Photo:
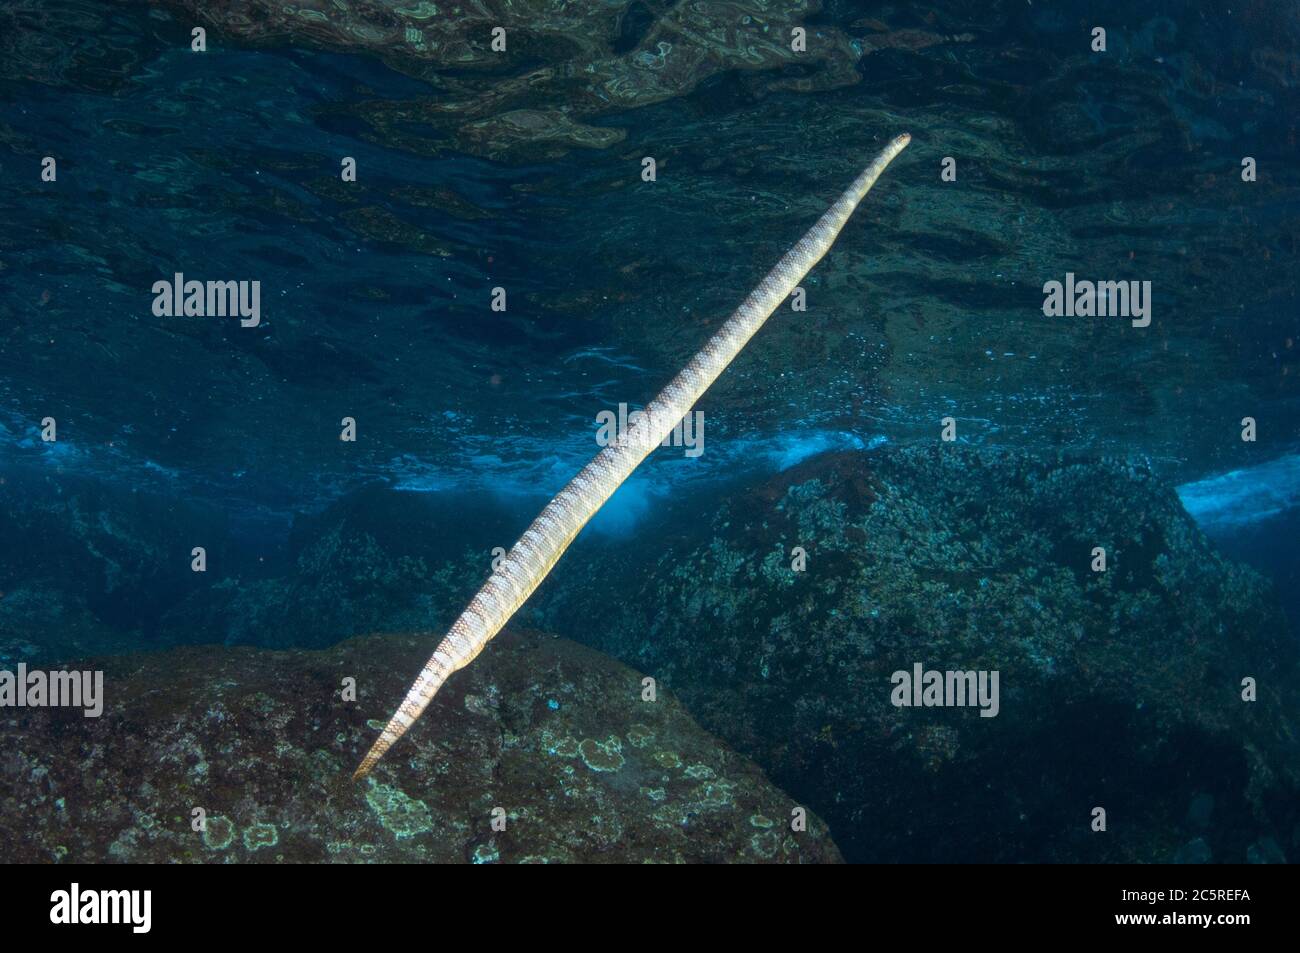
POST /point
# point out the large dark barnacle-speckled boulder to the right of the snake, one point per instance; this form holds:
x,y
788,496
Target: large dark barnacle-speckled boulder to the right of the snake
x,y
1120,690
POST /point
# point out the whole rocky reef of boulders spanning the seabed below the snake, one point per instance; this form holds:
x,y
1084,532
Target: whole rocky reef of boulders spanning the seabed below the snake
x,y
1119,690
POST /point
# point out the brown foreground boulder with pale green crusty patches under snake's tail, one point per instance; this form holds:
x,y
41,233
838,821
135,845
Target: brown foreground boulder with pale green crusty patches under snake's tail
x,y
553,735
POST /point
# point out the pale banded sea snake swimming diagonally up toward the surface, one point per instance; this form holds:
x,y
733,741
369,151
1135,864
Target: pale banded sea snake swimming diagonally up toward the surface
x,y
545,542
